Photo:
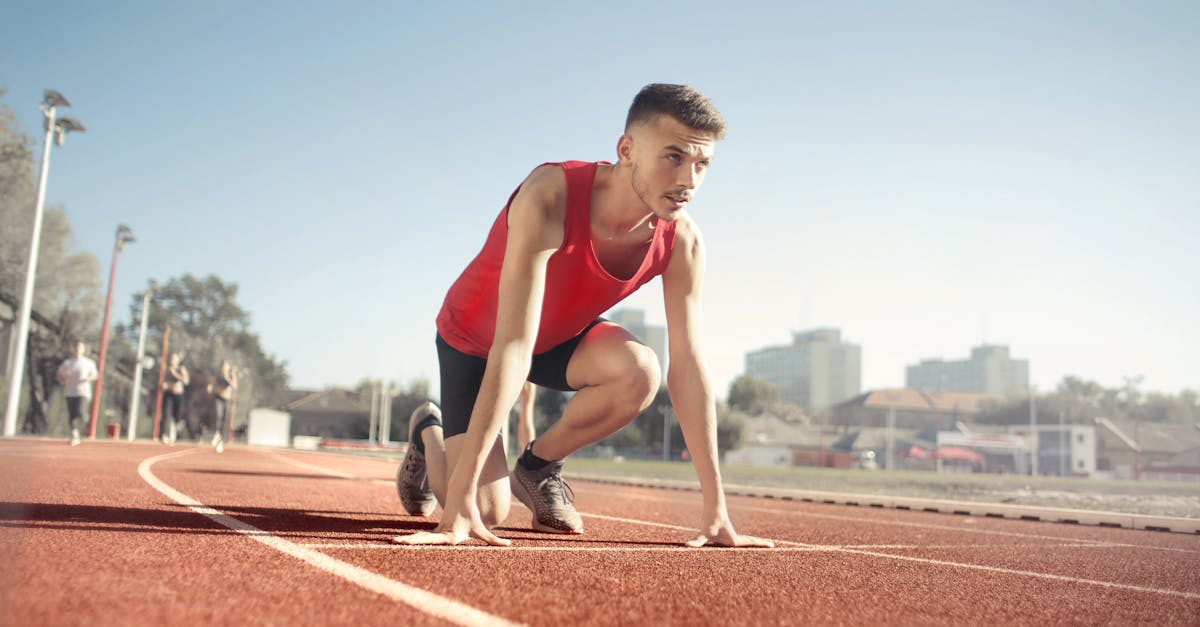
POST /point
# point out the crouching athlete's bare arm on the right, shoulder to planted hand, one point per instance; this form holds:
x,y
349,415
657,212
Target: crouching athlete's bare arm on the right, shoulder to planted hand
x,y
688,384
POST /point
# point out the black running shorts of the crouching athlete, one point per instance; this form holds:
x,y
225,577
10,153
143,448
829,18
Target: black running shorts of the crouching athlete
x,y
464,374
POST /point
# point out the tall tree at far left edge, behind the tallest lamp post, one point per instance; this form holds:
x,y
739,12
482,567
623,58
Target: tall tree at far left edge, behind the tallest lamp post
x,y
67,288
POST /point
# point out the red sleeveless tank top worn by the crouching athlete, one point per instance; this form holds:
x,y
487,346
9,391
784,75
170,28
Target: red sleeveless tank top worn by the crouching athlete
x,y
578,288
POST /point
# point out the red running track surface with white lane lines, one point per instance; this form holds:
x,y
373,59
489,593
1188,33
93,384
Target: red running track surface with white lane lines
x,y
119,534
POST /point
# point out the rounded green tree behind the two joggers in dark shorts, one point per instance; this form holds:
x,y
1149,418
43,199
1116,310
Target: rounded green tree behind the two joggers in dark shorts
x,y
208,326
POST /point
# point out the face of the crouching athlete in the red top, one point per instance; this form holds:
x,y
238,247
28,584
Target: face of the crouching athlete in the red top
x,y
669,163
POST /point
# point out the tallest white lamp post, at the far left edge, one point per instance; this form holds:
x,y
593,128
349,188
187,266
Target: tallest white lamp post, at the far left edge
x,y
56,130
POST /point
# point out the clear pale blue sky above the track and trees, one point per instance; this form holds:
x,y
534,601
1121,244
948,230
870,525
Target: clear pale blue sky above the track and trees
x,y
923,176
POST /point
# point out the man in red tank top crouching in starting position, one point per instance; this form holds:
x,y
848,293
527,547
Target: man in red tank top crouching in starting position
x,y
573,241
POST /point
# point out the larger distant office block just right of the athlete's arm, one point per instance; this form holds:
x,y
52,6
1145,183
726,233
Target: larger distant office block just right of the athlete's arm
x,y
818,371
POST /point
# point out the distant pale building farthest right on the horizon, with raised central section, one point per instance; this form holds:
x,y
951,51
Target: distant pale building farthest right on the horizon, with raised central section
x,y
991,371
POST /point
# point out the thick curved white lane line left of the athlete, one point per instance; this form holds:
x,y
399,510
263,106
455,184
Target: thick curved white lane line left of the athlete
x,y
424,601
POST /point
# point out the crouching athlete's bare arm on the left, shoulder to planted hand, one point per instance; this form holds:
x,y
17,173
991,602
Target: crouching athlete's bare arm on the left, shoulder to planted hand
x,y
536,222
